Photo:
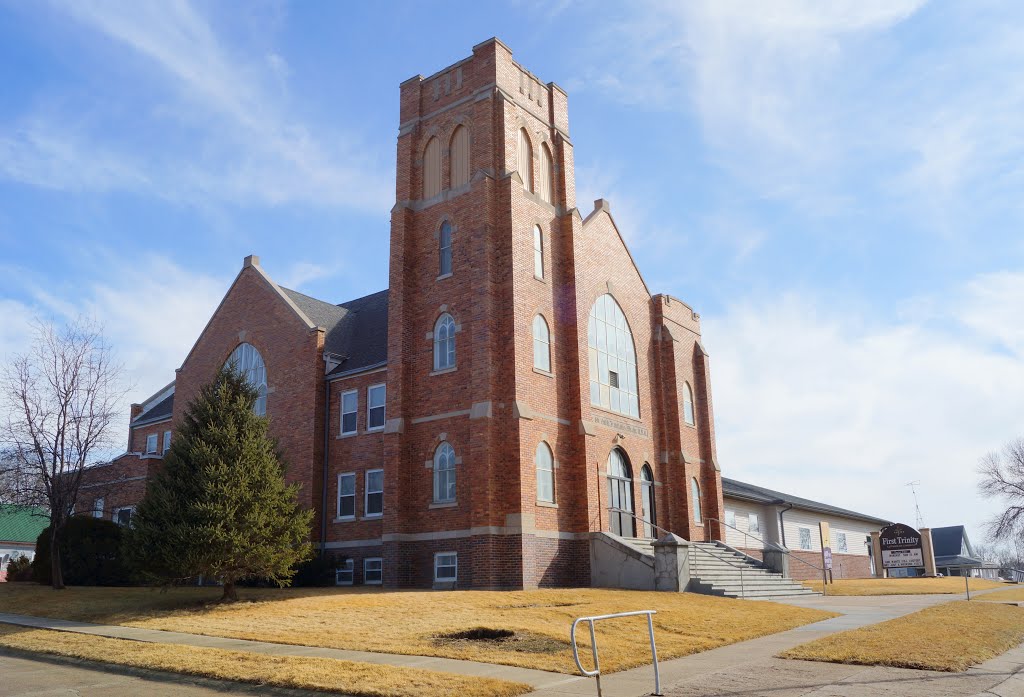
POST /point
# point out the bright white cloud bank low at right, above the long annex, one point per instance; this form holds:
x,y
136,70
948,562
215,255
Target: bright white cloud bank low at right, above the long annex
x,y
834,405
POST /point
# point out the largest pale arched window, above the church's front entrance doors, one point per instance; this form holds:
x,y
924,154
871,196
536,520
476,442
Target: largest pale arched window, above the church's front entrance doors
x,y
613,360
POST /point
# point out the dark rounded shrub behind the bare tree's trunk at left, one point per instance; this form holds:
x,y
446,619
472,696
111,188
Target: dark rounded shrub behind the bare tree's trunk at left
x,y
91,554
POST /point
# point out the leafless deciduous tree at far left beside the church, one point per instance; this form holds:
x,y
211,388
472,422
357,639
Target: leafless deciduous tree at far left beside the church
x,y
63,398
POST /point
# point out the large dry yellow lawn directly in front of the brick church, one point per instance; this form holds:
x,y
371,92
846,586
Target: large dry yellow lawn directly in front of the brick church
x,y
413,623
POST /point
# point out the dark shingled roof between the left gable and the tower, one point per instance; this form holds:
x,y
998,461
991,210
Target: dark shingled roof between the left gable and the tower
x,y
356,331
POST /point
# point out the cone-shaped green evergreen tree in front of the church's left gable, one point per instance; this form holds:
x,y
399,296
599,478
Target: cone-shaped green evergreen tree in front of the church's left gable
x,y
220,507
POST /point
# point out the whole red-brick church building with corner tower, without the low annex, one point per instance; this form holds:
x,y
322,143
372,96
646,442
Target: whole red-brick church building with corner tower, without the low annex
x,y
516,390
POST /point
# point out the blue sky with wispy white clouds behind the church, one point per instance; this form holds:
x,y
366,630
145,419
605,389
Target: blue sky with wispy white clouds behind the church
x,y
836,189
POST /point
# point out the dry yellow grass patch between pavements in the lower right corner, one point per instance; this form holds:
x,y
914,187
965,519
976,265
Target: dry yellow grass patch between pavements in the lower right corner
x,y
952,637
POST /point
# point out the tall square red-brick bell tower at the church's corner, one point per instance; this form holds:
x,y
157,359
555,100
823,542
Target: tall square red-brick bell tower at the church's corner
x,y
484,159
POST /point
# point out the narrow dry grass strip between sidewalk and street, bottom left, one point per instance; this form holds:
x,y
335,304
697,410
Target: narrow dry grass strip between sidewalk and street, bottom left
x,y
325,675
